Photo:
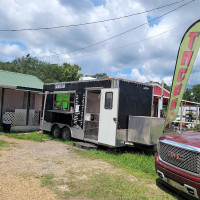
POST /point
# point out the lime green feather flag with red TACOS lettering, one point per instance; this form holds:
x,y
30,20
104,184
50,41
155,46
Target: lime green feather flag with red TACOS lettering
x,y
187,54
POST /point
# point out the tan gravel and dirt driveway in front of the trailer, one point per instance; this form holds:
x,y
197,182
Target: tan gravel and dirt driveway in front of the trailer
x,y
24,163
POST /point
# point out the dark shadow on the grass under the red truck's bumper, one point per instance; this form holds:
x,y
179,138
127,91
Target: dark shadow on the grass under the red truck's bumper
x,y
173,191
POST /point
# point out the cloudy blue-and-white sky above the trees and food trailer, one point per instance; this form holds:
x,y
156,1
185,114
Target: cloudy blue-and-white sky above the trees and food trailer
x,y
155,57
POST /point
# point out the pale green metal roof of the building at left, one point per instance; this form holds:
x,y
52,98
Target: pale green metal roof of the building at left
x,y
13,79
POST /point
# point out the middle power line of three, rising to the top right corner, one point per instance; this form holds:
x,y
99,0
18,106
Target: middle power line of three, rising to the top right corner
x,y
127,31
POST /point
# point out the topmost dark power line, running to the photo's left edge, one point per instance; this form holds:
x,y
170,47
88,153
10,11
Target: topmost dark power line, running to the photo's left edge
x,y
87,23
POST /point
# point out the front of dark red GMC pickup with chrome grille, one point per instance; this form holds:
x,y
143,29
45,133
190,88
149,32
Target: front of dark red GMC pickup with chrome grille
x,y
178,161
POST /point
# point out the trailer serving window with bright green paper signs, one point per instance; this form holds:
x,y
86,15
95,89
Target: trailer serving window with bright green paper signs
x,y
64,101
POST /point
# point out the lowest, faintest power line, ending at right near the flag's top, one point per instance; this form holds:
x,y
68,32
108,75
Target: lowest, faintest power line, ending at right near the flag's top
x,y
123,46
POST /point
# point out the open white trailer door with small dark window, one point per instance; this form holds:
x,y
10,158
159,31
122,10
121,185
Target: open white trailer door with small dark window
x,y
108,116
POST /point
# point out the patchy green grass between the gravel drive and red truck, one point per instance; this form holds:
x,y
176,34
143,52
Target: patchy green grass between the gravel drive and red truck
x,y
138,164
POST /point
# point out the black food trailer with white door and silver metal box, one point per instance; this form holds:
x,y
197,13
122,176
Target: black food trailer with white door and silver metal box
x,y
111,112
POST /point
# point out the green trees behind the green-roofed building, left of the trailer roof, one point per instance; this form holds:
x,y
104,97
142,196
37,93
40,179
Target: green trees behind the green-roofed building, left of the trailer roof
x,y
48,73
